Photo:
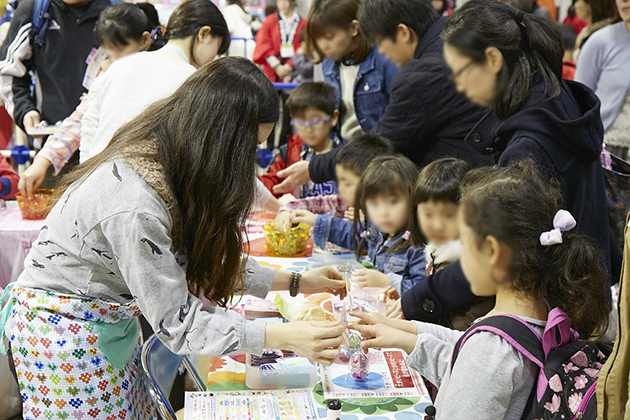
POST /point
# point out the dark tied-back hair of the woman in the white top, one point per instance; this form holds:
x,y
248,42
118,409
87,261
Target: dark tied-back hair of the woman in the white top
x,y
192,15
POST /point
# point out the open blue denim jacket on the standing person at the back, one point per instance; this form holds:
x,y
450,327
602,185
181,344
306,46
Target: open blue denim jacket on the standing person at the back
x,y
371,88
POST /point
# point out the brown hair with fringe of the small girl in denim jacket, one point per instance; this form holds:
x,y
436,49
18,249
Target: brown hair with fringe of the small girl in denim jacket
x,y
385,175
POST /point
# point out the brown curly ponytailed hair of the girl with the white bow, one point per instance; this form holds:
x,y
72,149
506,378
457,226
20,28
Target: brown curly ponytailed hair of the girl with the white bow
x,y
515,205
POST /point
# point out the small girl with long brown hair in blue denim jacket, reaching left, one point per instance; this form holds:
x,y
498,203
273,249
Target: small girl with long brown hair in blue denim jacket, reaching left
x,y
384,197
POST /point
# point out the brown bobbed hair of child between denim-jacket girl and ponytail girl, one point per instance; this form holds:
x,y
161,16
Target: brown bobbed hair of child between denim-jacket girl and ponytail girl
x,y
438,181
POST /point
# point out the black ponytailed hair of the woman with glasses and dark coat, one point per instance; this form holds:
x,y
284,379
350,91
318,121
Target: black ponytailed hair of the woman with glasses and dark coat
x,y
528,44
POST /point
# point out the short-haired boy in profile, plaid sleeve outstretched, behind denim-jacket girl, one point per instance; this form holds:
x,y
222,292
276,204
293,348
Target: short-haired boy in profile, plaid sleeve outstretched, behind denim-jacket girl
x,y
351,162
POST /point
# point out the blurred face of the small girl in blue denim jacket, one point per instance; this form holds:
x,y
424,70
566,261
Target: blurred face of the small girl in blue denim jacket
x,y
388,212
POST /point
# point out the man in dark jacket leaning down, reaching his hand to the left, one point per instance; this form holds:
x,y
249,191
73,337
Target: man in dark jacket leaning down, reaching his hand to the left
x,y
426,118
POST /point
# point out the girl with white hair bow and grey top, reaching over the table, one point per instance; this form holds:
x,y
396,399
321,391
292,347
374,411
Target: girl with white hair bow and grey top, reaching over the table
x,y
520,246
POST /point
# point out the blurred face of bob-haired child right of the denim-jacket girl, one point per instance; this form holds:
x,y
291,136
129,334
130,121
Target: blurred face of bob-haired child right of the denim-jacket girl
x,y
438,221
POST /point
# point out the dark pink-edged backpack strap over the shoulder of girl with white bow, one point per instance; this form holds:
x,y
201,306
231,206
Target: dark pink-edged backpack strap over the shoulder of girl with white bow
x,y
512,329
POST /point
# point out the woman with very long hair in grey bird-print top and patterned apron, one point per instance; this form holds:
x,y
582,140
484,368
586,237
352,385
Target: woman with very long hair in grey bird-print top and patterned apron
x,y
179,178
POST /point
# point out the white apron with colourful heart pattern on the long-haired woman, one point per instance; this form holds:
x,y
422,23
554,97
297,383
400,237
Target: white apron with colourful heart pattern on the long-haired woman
x,y
61,370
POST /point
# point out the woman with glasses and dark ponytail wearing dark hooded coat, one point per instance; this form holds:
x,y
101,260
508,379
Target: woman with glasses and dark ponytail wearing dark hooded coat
x,y
511,62
